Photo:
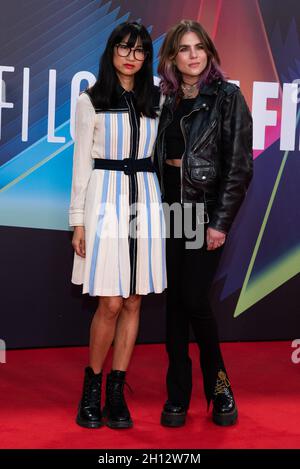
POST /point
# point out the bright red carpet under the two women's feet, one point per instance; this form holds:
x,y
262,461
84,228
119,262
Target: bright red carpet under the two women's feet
x,y
39,392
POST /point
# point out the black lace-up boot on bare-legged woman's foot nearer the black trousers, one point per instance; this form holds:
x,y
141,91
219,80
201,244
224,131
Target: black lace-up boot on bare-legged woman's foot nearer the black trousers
x,y
116,412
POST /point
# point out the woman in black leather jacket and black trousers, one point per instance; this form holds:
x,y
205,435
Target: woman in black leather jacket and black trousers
x,y
203,157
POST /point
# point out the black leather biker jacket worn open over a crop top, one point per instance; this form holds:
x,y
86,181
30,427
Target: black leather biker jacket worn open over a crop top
x,y
217,162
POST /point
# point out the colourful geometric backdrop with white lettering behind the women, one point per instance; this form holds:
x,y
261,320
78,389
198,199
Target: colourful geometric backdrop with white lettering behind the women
x,y
48,50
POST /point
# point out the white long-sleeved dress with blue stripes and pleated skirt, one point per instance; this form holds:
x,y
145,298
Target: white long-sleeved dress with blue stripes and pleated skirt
x,y
125,252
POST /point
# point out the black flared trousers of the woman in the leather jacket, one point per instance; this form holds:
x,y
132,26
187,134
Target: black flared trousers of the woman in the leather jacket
x,y
190,273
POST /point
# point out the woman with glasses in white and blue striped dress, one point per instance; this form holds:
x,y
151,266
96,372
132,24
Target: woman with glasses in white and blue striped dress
x,y
116,213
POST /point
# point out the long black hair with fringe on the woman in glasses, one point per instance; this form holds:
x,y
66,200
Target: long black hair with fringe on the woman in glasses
x,y
103,93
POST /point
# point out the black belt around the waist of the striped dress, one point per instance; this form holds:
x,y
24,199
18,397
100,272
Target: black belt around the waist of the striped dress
x,y
128,165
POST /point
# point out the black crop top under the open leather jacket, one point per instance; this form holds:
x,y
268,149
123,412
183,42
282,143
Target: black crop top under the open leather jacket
x,y
174,139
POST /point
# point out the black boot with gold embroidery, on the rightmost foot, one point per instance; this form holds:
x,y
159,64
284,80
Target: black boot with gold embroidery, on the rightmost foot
x,y
224,407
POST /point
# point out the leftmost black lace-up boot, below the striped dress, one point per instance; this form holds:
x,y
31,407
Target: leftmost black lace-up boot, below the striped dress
x,y
89,411
